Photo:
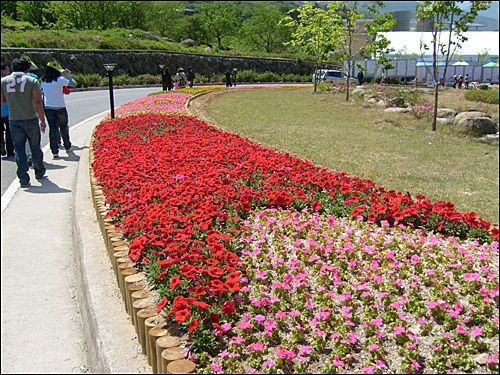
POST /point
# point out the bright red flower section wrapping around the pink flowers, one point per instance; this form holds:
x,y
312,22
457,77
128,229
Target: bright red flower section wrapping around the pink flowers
x,y
180,189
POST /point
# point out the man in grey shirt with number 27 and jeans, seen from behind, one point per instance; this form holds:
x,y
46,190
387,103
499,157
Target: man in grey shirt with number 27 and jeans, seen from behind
x,y
22,94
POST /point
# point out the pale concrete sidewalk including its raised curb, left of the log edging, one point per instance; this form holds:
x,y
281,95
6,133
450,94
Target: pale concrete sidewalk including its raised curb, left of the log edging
x,y
61,307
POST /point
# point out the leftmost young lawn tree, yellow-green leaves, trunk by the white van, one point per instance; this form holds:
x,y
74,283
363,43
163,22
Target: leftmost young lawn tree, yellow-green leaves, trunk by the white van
x,y
315,32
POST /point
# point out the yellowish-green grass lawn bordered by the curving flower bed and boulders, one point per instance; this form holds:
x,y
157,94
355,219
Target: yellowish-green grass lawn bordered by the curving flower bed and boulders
x,y
396,151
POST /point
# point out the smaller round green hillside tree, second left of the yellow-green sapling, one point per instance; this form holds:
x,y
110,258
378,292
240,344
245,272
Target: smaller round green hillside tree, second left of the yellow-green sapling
x,y
220,20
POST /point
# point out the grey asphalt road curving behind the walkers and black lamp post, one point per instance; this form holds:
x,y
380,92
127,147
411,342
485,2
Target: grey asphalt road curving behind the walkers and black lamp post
x,y
80,105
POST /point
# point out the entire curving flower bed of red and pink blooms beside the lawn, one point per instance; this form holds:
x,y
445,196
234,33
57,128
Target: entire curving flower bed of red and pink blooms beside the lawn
x,y
270,264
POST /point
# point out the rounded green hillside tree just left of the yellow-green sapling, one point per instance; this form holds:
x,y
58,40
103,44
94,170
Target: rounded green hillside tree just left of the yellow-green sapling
x,y
263,30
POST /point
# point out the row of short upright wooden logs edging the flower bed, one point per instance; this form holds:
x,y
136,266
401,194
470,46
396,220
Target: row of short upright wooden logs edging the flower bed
x,y
139,301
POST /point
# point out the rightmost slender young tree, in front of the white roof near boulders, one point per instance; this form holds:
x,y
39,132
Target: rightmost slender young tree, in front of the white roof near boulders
x,y
449,16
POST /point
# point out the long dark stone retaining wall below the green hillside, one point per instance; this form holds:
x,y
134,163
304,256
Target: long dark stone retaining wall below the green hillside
x,y
136,62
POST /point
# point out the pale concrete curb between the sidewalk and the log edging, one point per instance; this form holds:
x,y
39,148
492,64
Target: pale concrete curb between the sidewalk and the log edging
x,y
110,339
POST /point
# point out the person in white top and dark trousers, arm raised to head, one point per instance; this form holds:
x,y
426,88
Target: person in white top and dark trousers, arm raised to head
x,y
53,81
